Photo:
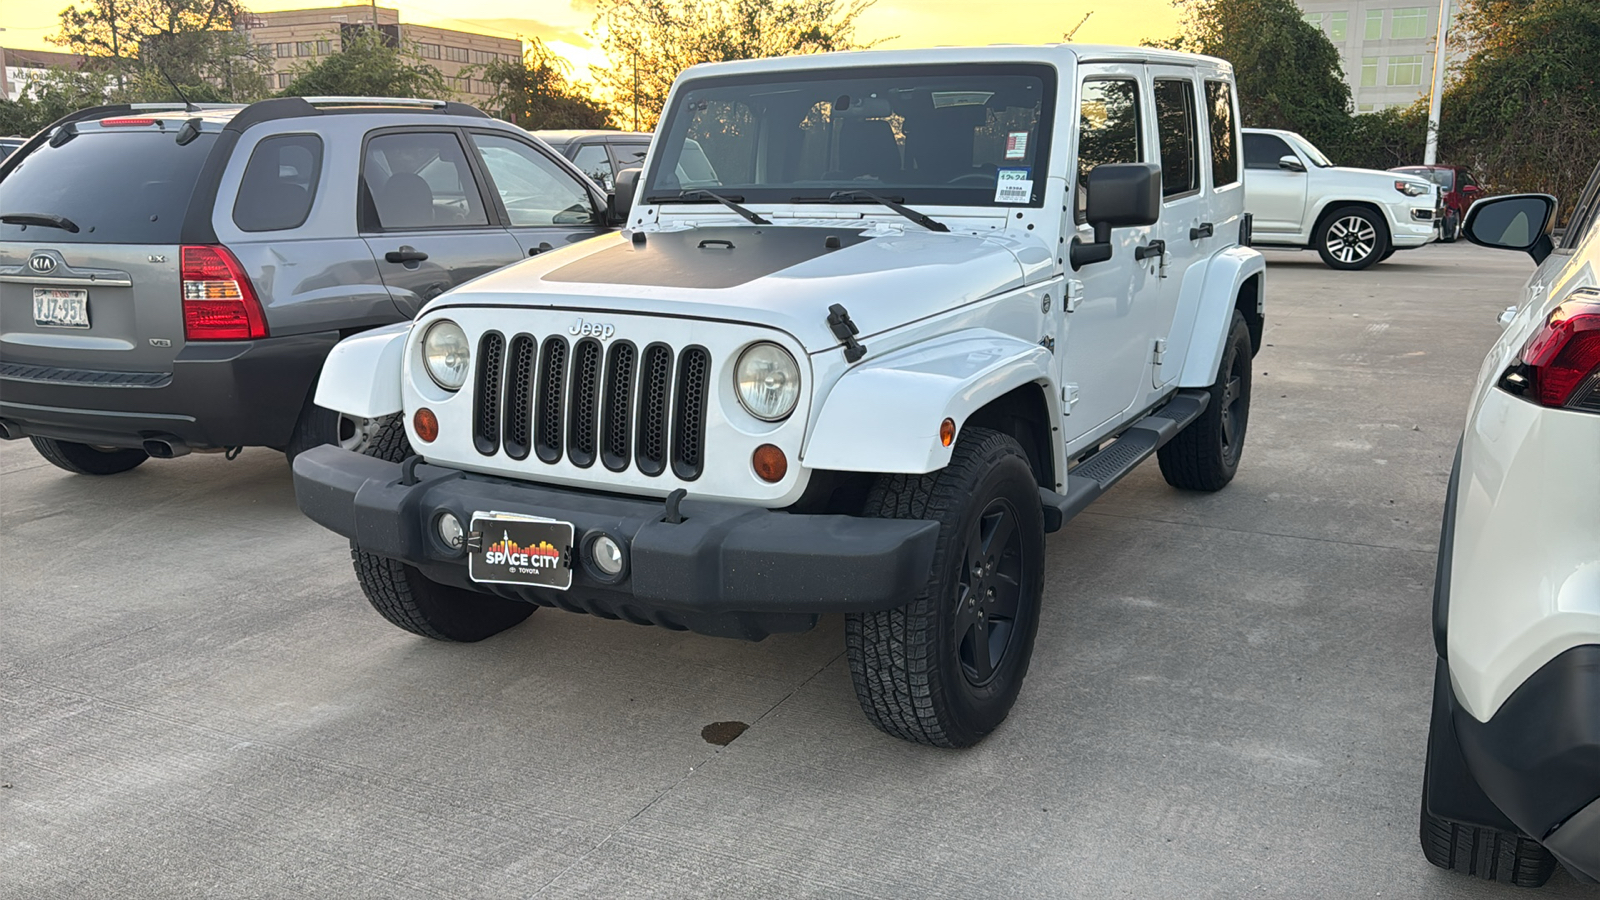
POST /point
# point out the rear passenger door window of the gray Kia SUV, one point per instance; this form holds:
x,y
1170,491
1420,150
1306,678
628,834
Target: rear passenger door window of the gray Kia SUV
x,y
422,180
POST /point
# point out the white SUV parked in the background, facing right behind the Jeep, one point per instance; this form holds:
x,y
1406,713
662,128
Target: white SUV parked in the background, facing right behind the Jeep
x,y
1353,217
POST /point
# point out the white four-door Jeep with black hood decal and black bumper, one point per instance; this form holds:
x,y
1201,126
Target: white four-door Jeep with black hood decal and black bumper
x,y
876,326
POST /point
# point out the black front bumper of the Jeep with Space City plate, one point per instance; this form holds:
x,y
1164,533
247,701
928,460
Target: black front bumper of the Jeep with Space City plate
x,y
726,569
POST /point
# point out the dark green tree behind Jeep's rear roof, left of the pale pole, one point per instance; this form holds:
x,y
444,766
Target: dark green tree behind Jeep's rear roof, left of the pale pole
x,y
1289,73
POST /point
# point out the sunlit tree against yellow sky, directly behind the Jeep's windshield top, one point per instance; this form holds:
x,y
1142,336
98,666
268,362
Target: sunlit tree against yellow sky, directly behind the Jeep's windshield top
x,y
649,42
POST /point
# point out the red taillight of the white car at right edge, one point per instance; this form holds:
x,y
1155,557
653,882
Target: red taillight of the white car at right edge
x,y
1561,364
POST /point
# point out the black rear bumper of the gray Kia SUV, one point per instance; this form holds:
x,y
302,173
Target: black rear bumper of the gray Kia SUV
x,y
218,395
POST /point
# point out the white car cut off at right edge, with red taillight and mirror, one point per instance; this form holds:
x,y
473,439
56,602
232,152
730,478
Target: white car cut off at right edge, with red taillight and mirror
x,y
1513,779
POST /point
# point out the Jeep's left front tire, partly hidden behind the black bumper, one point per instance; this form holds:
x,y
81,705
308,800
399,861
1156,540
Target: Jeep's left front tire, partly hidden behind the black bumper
x,y
409,600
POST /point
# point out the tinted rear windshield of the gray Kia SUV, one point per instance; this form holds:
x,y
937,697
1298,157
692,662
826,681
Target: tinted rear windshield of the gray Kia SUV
x,y
119,187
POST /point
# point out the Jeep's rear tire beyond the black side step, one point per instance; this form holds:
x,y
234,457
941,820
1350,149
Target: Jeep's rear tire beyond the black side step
x,y
1206,454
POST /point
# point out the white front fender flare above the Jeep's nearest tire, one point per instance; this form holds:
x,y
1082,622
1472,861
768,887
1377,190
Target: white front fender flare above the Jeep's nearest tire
x,y
884,416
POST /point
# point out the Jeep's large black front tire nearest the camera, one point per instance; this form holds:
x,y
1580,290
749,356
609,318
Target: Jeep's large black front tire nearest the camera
x,y
910,665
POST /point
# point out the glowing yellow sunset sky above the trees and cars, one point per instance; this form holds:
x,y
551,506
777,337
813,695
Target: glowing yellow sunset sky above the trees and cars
x,y
564,25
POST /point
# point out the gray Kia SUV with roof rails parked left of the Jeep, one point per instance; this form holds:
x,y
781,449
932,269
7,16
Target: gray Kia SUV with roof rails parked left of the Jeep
x,y
172,279
